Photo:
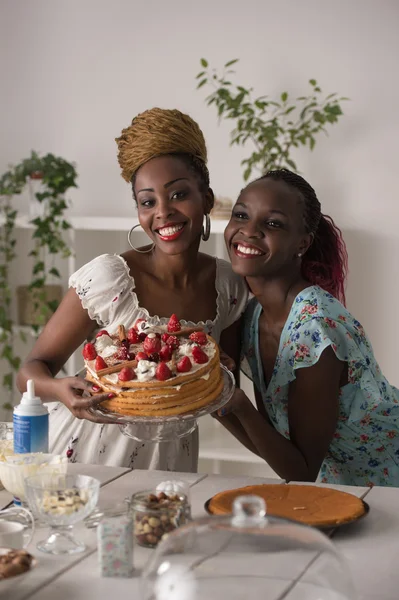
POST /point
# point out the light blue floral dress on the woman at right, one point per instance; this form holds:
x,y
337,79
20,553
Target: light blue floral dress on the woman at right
x,y
365,446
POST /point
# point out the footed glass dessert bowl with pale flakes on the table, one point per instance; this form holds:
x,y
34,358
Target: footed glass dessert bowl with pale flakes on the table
x,y
61,501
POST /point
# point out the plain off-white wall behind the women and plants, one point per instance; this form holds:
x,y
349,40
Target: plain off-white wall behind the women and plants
x,y
73,73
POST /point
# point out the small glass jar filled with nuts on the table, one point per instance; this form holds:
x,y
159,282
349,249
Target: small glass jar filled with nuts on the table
x,y
158,513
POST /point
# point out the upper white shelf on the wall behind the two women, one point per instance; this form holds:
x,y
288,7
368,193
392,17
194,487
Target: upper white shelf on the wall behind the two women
x,y
107,223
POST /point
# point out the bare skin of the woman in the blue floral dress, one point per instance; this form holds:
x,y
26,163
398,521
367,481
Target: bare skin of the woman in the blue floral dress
x,y
268,219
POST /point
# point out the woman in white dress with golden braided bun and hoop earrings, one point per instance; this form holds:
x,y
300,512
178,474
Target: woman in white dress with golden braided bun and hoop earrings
x,y
162,154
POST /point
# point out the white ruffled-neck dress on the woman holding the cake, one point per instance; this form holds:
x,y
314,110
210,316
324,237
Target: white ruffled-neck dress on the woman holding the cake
x,y
107,291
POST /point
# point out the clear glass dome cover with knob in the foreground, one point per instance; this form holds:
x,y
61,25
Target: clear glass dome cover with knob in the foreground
x,y
248,555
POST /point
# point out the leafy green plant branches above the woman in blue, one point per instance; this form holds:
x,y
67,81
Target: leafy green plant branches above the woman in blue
x,y
272,127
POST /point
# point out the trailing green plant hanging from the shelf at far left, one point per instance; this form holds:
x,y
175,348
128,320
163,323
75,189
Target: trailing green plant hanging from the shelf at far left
x,y
37,300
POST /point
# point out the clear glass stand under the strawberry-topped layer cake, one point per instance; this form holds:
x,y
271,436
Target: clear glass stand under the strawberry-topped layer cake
x,y
165,429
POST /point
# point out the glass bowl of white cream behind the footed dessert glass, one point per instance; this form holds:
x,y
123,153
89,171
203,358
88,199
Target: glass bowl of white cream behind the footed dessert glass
x,y
15,468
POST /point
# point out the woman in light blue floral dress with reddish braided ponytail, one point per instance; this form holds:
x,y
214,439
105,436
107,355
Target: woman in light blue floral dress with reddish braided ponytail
x,y
323,406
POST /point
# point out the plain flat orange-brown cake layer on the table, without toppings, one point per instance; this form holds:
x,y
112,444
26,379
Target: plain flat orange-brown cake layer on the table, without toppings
x,y
308,504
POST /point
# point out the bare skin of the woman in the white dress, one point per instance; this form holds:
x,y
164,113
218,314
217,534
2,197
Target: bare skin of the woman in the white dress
x,y
173,278
